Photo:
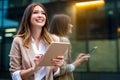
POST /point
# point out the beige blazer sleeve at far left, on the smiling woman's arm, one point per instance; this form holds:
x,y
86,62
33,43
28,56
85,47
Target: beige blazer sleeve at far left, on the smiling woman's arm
x,y
15,56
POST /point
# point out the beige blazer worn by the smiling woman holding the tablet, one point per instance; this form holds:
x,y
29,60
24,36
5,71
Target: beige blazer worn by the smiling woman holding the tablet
x,y
22,58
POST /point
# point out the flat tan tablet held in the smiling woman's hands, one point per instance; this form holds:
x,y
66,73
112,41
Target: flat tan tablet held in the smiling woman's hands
x,y
54,50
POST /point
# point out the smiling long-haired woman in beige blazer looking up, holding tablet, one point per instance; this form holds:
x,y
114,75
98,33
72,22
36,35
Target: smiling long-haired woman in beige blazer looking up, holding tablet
x,y
30,44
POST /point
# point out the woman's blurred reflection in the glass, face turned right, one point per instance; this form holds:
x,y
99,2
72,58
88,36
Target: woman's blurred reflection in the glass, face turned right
x,y
61,26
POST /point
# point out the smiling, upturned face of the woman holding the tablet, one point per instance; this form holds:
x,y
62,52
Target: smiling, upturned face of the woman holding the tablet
x,y
38,17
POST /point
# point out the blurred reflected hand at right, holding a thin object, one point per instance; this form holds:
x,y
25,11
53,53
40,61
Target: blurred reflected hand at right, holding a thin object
x,y
81,58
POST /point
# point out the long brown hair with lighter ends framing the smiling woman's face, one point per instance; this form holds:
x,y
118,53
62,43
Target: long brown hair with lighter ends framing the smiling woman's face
x,y
24,30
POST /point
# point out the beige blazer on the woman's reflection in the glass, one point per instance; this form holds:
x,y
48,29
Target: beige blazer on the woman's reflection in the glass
x,y
65,74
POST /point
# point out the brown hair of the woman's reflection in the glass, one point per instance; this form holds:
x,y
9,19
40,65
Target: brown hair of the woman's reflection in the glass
x,y
59,24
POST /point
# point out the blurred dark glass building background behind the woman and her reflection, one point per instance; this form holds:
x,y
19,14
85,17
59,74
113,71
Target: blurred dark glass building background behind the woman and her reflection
x,y
96,23
